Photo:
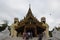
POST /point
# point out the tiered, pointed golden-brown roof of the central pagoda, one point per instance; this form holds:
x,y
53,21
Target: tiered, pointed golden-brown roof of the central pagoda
x,y
29,19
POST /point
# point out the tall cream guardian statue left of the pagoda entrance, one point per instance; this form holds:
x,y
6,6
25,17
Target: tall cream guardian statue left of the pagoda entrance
x,y
13,27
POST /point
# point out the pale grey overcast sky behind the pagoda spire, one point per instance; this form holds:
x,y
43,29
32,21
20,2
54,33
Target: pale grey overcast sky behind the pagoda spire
x,y
19,8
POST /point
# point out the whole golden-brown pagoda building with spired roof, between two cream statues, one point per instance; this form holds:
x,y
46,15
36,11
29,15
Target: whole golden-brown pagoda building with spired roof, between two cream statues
x,y
30,24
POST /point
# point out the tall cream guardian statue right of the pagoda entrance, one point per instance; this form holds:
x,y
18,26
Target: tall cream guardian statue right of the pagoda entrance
x,y
46,32
